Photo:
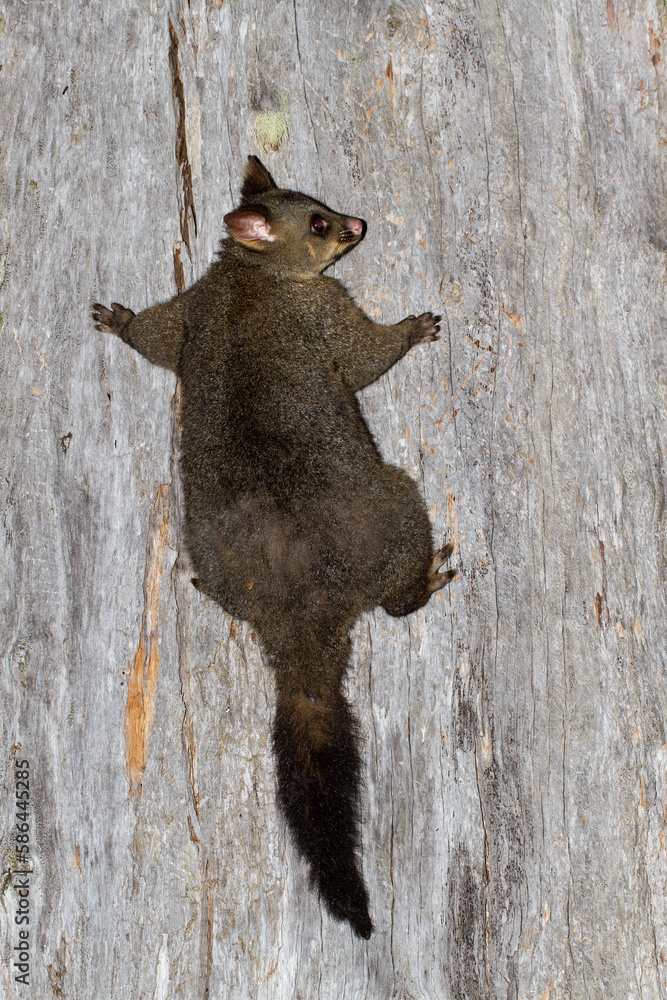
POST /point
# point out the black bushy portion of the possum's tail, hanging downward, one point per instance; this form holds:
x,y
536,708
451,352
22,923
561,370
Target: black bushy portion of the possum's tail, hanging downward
x,y
315,743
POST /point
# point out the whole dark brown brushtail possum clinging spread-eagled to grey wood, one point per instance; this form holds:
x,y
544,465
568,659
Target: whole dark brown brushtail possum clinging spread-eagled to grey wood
x,y
292,520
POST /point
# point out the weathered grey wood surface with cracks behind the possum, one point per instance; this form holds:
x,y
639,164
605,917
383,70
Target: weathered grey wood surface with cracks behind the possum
x,y
509,160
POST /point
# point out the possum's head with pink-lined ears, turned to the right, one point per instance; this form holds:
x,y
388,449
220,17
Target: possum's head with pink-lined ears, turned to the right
x,y
296,235
